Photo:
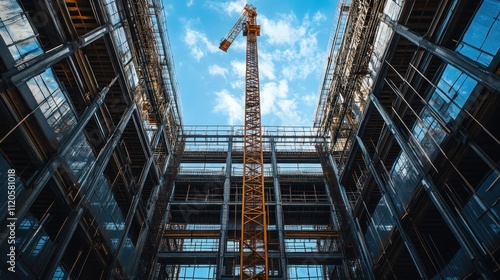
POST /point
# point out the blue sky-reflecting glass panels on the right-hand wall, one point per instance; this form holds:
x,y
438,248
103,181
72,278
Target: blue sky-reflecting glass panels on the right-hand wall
x,y
447,101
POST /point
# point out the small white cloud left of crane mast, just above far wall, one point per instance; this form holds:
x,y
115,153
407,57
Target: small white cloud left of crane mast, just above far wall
x,y
230,106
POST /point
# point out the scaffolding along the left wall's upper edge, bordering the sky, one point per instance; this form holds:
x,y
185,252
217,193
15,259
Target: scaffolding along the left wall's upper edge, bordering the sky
x,y
158,90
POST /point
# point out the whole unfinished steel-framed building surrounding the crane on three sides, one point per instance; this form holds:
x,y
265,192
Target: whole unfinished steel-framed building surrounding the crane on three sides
x,y
398,177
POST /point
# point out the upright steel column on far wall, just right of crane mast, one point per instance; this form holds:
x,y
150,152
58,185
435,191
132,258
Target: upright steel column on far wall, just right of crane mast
x,y
279,211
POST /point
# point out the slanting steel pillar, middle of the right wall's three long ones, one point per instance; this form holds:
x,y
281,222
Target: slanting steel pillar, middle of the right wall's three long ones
x,y
394,213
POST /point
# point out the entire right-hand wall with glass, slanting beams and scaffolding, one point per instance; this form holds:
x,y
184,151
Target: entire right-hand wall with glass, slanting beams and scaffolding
x,y
428,138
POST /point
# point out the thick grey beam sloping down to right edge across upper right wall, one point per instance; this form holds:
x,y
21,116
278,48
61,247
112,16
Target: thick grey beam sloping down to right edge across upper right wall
x,y
458,60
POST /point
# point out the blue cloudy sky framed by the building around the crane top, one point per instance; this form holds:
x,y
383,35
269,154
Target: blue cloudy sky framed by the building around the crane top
x,y
292,52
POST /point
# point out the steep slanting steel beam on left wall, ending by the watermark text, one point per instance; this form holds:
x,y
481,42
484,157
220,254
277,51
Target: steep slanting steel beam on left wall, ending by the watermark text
x,y
53,164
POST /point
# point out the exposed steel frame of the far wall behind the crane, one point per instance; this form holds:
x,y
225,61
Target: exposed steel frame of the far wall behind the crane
x,y
308,235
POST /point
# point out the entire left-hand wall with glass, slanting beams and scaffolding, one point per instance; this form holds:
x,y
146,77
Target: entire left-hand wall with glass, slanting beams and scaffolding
x,y
83,210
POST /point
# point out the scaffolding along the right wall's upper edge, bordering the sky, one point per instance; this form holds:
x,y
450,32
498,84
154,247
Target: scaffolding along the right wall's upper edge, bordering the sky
x,y
343,92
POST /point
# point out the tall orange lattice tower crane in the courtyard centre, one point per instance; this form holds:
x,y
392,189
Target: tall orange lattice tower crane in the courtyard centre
x,y
253,239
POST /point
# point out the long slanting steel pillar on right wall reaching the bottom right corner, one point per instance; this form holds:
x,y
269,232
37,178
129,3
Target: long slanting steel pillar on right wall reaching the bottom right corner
x,y
463,236
